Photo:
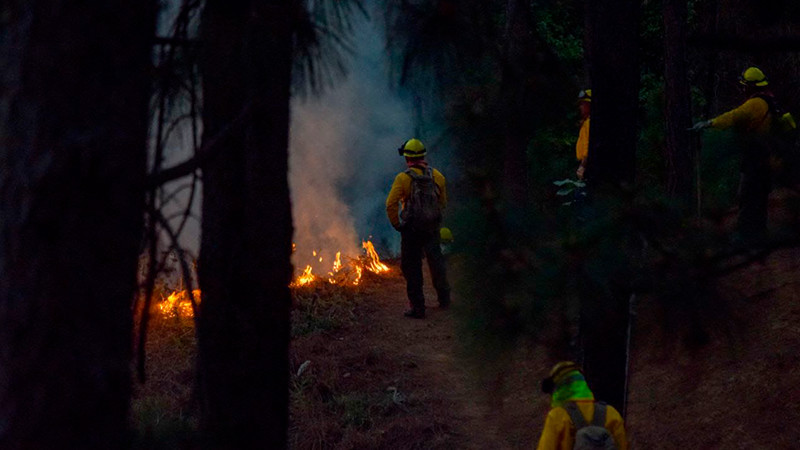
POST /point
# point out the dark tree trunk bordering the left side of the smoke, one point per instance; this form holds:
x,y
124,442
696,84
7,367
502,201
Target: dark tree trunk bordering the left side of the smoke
x,y
245,267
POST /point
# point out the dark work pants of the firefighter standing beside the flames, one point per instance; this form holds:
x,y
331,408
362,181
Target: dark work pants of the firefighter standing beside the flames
x,y
413,246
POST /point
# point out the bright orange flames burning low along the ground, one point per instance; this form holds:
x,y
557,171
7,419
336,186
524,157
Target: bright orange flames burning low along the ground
x,y
347,273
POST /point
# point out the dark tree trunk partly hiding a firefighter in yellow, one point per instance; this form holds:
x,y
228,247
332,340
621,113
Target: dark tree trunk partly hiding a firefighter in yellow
x,y
611,172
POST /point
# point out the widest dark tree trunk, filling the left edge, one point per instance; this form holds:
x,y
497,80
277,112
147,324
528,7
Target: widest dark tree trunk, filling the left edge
x,y
73,128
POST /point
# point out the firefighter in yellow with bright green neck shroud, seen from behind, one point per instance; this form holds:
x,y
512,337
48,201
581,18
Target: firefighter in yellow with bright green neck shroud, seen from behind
x,y
569,390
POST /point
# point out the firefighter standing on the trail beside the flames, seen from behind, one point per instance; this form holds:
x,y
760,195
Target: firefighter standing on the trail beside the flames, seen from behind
x,y
417,239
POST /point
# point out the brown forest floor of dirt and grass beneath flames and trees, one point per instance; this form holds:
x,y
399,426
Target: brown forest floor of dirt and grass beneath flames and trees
x,y
364,376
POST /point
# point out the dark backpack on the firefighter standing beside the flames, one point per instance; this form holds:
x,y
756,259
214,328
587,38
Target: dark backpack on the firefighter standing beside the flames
x,y
421,211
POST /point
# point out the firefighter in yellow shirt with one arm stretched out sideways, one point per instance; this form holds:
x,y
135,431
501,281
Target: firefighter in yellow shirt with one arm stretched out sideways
x,y
752,120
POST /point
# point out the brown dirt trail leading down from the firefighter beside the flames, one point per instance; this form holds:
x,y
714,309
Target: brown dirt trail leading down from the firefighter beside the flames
x,y
467,411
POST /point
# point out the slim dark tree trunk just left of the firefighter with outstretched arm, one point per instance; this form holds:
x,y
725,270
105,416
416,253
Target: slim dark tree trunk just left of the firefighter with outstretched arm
x,y
679,149
